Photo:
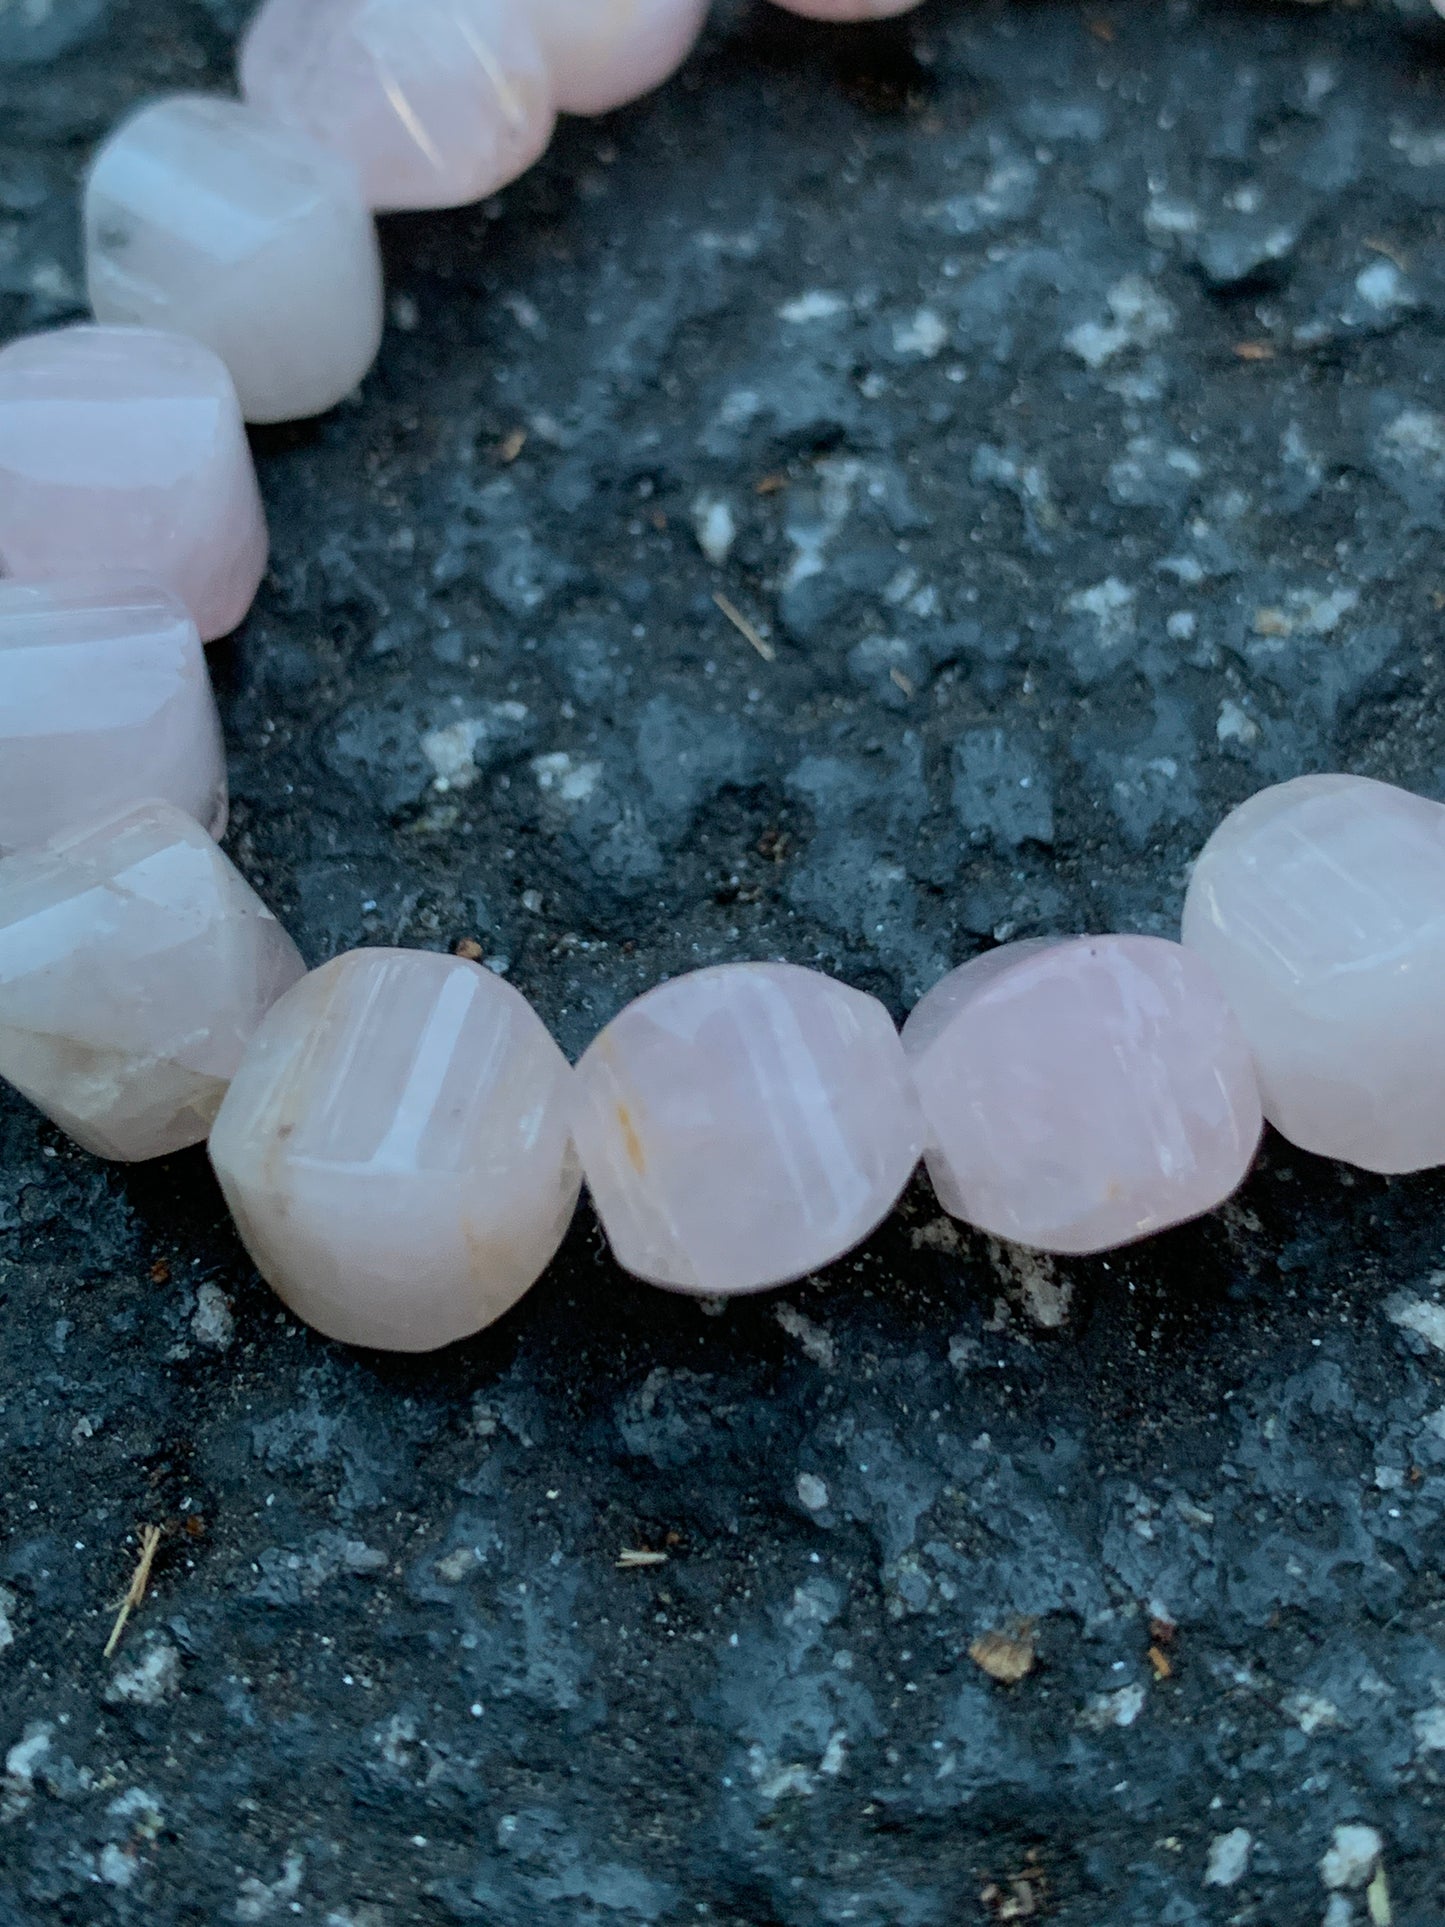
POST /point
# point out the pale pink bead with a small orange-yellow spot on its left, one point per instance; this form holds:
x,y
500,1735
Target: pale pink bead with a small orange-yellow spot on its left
x,y
745,1126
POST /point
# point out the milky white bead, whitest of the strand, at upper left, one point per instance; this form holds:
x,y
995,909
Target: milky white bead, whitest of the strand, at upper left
x,y
215,221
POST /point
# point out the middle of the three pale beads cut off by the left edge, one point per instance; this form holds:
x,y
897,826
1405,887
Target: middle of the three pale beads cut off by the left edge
x,y
105,702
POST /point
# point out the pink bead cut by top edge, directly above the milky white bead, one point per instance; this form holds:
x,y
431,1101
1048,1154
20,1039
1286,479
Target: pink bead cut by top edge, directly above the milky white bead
x,y
436,101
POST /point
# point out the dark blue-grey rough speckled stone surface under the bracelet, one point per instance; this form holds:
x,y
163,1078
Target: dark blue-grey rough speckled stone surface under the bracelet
x,y
1063,392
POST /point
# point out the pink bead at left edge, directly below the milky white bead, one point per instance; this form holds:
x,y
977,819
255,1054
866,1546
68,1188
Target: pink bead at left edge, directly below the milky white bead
x,y
124,450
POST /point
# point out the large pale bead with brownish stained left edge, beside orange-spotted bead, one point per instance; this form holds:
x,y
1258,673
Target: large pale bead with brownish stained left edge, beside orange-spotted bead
x,y
396,1149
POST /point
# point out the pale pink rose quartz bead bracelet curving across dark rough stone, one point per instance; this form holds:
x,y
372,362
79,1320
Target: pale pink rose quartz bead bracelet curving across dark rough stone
x,y
398,1136
